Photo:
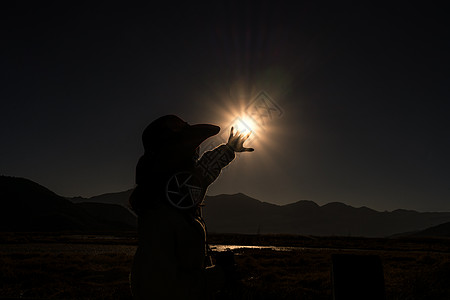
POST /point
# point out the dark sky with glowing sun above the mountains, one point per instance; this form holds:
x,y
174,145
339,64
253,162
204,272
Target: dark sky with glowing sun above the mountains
x,y
363,90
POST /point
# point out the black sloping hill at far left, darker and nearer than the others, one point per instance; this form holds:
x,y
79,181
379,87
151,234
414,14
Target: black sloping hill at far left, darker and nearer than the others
x,y
28,206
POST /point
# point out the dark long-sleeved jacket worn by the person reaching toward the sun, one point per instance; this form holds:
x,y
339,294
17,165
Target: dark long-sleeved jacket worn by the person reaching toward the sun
x,y
171,259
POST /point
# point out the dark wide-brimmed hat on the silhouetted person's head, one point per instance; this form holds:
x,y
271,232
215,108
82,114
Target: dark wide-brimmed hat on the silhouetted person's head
x,y
171,131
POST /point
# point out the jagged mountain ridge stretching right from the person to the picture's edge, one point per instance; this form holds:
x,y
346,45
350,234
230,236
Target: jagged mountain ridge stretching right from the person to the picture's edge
x,y
242,214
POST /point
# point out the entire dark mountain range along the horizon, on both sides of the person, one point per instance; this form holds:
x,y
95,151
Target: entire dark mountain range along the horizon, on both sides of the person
x,y
29,206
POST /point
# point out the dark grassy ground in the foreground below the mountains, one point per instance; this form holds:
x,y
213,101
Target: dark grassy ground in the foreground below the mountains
x,y
67,266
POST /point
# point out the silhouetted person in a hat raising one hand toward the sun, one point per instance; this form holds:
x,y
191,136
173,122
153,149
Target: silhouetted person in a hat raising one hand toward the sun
x,y
172,261
